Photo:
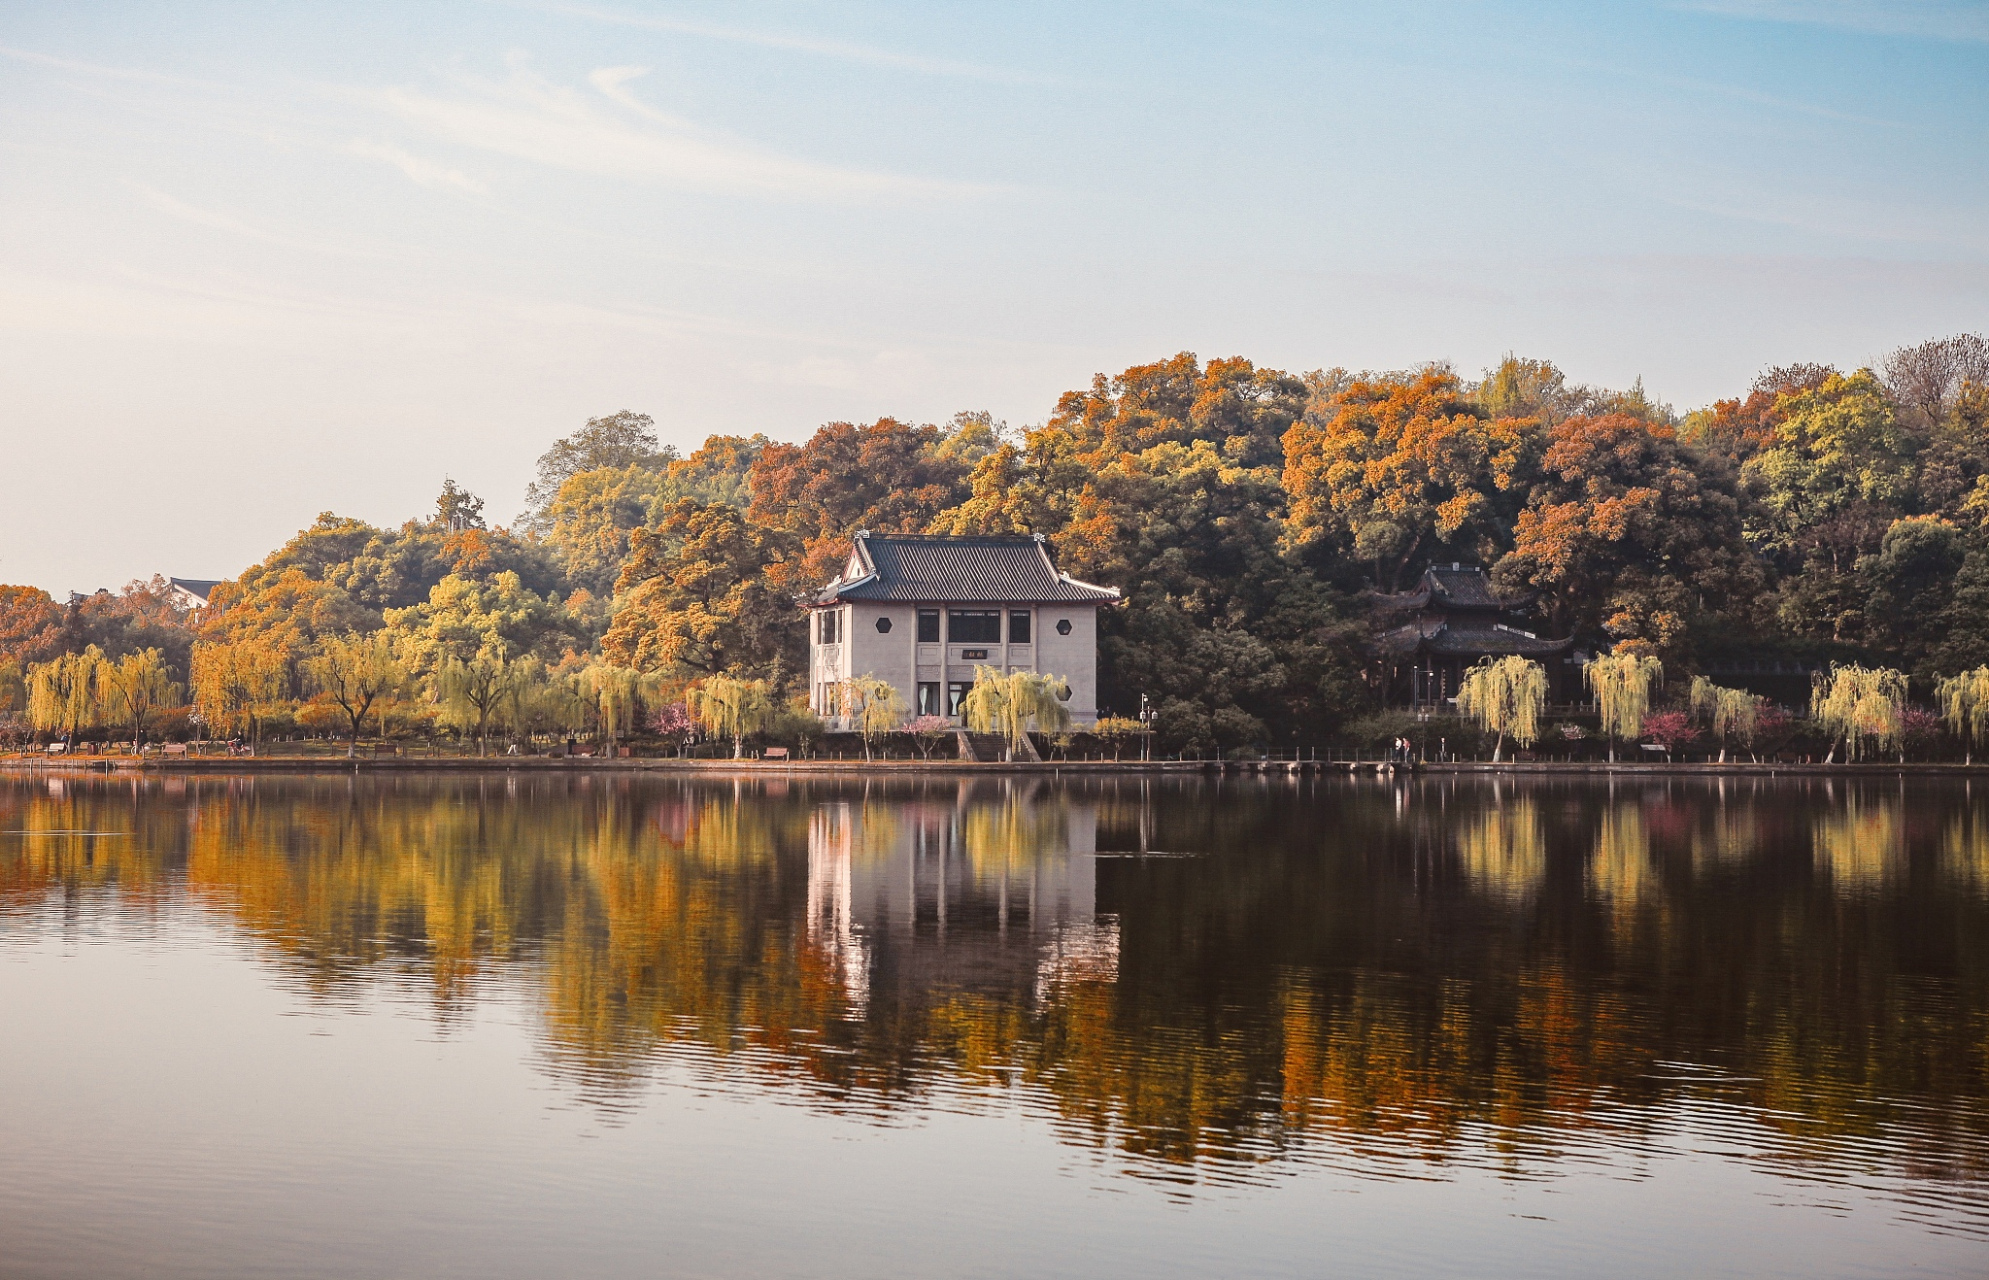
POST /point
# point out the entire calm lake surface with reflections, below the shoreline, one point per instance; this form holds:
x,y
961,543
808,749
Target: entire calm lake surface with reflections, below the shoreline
x,y
616,1027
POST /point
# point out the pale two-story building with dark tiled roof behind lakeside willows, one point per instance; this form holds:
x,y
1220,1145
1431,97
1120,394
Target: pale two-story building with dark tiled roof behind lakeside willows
x,y
926,611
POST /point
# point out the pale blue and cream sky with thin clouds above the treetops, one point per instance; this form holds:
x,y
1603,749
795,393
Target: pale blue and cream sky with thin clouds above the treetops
x,y
262,261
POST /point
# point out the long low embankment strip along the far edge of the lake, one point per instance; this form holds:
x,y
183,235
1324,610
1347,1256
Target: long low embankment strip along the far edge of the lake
x,y
1268,768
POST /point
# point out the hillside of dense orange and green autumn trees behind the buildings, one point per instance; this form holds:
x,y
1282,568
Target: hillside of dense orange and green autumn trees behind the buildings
x,y
1246,514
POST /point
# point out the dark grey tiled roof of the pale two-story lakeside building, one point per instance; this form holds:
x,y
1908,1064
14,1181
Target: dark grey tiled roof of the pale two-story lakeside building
x,y
958,571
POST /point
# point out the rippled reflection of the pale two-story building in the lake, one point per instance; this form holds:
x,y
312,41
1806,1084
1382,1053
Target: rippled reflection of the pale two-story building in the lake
x,y
994,893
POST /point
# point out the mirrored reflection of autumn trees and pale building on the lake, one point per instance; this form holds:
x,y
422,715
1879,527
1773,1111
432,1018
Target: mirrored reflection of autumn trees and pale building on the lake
x,y
1206,985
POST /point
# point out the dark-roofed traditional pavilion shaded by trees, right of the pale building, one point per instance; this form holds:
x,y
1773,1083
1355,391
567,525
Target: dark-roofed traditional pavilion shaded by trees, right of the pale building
x,y
1449,623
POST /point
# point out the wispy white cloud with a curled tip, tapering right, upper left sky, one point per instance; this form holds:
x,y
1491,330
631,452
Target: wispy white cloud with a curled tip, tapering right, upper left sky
x,y
536,120
